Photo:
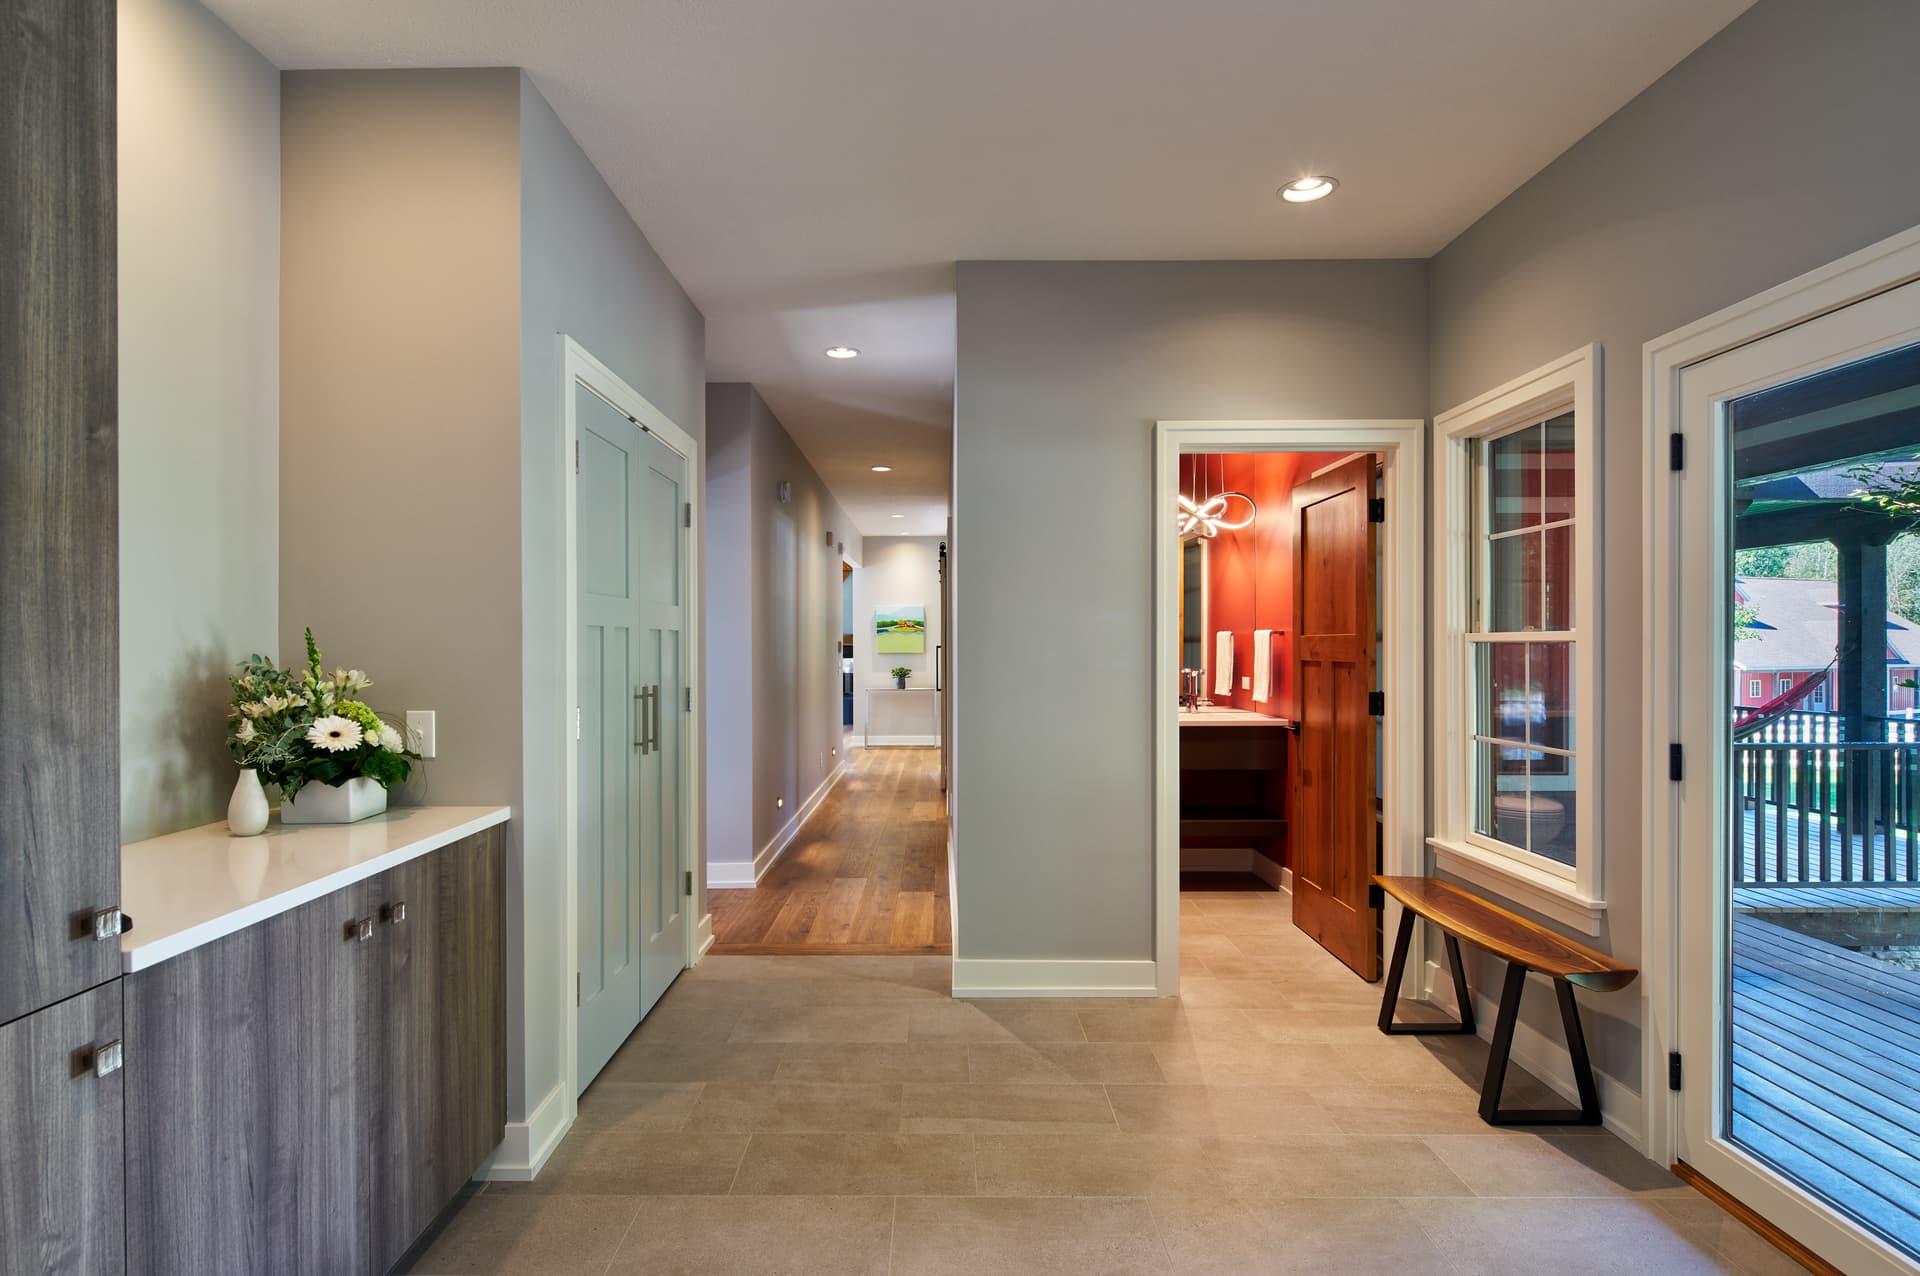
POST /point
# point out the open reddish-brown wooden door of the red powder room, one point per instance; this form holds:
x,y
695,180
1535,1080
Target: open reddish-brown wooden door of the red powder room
x,y
1333,830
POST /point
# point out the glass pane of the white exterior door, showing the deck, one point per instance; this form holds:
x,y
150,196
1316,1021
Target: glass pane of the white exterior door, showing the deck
x,y
1823,932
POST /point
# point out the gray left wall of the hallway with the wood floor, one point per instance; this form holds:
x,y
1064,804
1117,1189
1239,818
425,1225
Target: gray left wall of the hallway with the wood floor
x,y
782,586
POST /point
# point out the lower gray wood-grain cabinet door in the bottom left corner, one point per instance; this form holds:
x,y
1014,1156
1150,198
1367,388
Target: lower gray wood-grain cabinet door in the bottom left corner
x,y
60,1131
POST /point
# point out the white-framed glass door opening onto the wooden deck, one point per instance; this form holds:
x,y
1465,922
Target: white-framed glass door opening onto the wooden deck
x,y
1800,816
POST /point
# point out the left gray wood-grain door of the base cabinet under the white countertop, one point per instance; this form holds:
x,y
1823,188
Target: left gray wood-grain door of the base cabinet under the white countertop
x,y
247,1114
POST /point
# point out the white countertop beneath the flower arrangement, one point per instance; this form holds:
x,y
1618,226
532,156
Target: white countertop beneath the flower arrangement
x,y
193,887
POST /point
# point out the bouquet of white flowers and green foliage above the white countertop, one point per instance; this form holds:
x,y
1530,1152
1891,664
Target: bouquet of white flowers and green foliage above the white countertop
x,y
302,726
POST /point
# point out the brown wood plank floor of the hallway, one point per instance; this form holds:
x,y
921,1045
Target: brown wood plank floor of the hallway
x,y
867,874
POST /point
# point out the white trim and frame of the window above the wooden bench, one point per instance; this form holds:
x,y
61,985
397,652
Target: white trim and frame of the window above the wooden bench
x,y
1568,895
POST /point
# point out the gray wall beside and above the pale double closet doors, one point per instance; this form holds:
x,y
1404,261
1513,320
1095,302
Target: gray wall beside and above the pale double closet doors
x,y
587,272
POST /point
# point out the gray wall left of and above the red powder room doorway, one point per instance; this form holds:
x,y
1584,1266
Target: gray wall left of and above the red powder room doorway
x,y
1063,369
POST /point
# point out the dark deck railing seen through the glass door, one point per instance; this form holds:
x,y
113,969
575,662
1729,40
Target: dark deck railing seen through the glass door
x,y
1815,809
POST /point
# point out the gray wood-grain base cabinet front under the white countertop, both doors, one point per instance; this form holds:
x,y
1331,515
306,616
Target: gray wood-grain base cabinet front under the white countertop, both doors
x,y
310,1093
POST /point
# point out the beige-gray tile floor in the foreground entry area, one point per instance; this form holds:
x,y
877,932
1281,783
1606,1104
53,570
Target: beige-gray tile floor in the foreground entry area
x,y
844,1116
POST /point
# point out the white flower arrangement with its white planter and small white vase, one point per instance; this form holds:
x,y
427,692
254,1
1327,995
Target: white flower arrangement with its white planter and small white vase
x,y
310,734
